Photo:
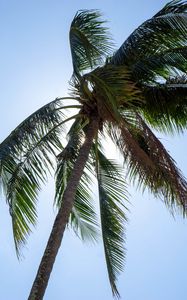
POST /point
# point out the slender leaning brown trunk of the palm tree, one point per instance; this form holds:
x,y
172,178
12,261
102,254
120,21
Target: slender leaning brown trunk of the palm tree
x,y
54,242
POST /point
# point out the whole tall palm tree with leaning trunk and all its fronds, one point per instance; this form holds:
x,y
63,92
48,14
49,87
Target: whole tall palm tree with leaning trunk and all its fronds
x,y
120,96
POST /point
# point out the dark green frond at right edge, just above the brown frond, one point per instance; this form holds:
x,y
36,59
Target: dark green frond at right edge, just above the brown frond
x,y
166,105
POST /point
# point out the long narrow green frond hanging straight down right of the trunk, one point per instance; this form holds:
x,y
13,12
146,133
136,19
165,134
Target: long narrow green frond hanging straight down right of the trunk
x,y
112,194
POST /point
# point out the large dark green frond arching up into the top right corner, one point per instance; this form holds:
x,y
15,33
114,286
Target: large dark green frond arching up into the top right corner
x,y
166,31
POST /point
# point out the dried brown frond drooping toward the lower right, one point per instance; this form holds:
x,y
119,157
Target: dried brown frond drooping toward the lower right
x,y
149,164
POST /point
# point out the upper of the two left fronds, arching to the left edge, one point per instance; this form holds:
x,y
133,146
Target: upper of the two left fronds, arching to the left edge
x,y
32,130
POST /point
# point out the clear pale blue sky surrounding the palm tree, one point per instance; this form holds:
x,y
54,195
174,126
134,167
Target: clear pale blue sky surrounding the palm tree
x,y
35,68
